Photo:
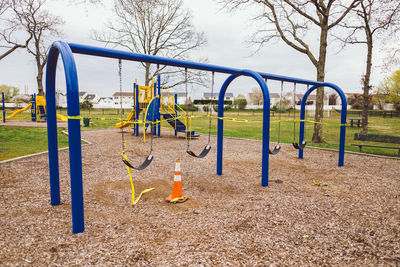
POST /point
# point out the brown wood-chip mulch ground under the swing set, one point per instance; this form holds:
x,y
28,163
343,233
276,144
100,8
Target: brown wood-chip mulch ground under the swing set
x,y
228,220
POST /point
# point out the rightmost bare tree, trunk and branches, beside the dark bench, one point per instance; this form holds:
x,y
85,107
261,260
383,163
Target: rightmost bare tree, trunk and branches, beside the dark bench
x,y
373,19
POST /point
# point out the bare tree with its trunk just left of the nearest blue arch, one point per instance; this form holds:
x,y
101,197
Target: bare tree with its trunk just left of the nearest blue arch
x,y
41,26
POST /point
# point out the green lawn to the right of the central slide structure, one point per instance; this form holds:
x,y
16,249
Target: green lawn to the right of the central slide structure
x,y
331,130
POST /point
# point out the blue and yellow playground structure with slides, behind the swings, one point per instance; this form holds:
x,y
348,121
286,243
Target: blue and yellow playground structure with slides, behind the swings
x,y
154,102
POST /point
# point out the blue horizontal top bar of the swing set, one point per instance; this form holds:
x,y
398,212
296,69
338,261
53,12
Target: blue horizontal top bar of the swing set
x,y
111,53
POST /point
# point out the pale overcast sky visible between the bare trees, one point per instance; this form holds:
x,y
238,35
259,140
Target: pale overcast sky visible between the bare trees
x,y
226,35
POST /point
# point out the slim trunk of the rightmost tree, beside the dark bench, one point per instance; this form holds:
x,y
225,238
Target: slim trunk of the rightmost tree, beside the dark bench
x,y
366,85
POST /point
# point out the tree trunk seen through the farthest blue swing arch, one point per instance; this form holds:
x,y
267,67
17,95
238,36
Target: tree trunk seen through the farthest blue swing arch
x,y
319,109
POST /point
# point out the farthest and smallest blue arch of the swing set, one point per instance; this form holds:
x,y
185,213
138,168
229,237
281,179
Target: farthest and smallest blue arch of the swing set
x,y
342,119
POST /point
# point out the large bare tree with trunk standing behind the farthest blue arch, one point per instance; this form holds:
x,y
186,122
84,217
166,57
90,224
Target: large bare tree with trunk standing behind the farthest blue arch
x,y
293,21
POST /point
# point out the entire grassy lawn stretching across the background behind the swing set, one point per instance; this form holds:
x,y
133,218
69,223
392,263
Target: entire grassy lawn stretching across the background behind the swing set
x,y
251,129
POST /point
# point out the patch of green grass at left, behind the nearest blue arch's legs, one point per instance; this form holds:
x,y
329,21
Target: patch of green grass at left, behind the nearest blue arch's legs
x,y
19,141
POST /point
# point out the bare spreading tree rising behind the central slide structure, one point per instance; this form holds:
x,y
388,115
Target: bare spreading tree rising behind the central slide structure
x,y
153,27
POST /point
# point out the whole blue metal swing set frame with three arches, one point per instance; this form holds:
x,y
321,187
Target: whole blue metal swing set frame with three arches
x,y
67,50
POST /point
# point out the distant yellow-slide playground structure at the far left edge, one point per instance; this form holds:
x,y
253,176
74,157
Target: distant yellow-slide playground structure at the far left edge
x,y
37,107
